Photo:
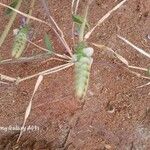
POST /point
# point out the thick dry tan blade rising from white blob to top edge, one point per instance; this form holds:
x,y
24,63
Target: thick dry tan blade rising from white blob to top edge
x,y
104,18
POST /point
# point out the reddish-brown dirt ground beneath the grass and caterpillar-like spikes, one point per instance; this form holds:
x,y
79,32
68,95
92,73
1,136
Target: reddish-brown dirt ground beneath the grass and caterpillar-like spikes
x,y
116,114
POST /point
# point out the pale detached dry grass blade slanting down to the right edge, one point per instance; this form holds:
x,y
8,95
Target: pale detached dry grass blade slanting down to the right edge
x,y
135,47
